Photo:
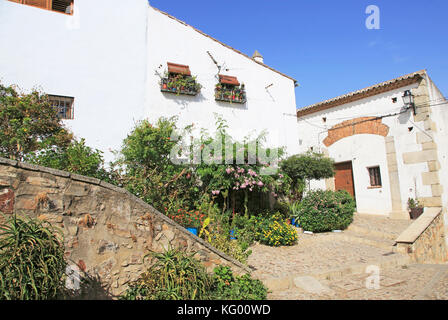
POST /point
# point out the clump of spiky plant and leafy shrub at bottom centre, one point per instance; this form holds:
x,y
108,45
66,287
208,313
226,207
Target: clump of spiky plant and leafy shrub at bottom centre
x,y
177,275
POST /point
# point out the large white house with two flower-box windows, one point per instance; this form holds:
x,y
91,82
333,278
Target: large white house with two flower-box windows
x,y
104,59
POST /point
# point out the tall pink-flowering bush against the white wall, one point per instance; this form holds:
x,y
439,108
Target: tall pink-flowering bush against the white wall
x,y
241,173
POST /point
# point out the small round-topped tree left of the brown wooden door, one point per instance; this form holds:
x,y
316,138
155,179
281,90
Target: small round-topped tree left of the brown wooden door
x,y
309,166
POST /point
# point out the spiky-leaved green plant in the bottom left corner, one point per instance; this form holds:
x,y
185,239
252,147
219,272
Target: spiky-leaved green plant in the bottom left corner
x,y
32,264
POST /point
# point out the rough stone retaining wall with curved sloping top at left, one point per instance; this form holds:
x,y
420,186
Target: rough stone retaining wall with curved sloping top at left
x,y
108,231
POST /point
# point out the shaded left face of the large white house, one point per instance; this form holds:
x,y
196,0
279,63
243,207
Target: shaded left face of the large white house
x,y
96,56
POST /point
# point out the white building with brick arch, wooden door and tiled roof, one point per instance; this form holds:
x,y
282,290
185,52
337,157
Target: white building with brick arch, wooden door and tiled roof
x,y
384,153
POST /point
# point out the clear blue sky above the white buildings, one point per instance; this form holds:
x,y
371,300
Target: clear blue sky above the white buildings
x,y
325,45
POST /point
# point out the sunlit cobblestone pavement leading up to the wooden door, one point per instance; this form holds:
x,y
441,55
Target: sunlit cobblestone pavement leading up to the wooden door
x,y
318,254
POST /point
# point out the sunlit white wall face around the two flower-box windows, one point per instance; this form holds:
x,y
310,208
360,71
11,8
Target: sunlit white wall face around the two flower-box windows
x,y
171,41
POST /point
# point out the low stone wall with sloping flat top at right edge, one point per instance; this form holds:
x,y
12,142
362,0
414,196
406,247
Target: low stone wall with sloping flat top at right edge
x,y
424,240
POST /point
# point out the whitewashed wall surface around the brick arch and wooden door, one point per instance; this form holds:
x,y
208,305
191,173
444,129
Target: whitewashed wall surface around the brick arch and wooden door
x,y
369,150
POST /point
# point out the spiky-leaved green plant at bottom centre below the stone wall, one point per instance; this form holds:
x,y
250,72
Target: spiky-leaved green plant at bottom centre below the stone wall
x,y
175,275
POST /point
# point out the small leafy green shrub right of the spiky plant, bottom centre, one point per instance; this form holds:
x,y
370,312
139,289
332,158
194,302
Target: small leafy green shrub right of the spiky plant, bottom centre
x,y
229,287
